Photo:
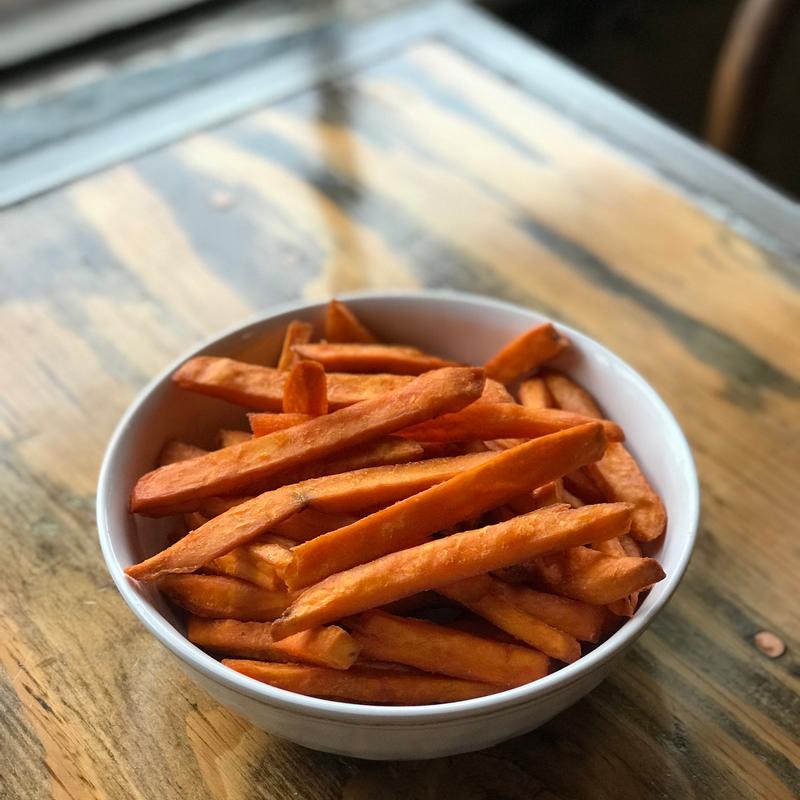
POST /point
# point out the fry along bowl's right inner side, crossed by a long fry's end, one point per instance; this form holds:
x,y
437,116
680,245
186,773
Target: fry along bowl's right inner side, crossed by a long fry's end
x,y
617,475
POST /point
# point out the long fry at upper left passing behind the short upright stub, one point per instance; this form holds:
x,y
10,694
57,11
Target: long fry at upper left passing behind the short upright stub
x,y
261,388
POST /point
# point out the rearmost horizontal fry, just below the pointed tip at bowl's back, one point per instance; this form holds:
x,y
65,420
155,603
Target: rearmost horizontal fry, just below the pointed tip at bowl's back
x,y
387,358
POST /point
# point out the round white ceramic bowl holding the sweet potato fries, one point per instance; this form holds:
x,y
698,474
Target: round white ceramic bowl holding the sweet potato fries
x,y
461,327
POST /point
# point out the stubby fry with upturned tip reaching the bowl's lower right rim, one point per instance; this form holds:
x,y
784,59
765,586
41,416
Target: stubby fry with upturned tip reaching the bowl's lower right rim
x,y
596,578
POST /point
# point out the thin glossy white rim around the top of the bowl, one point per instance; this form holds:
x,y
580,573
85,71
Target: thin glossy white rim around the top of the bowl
x,y
375,715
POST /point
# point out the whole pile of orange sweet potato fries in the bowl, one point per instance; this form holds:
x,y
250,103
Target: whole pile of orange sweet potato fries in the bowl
x,y
395,528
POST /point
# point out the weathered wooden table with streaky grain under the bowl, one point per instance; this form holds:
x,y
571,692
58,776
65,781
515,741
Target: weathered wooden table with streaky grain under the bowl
x,y
439,151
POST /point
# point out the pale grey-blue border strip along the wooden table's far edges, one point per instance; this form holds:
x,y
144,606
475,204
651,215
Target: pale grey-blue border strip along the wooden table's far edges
x,y
721,187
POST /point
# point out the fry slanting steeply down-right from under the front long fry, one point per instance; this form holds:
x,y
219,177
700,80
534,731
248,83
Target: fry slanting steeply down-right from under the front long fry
x,y
492,600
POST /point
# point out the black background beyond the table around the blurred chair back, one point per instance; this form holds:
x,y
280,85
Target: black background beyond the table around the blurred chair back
x,y
662,54
